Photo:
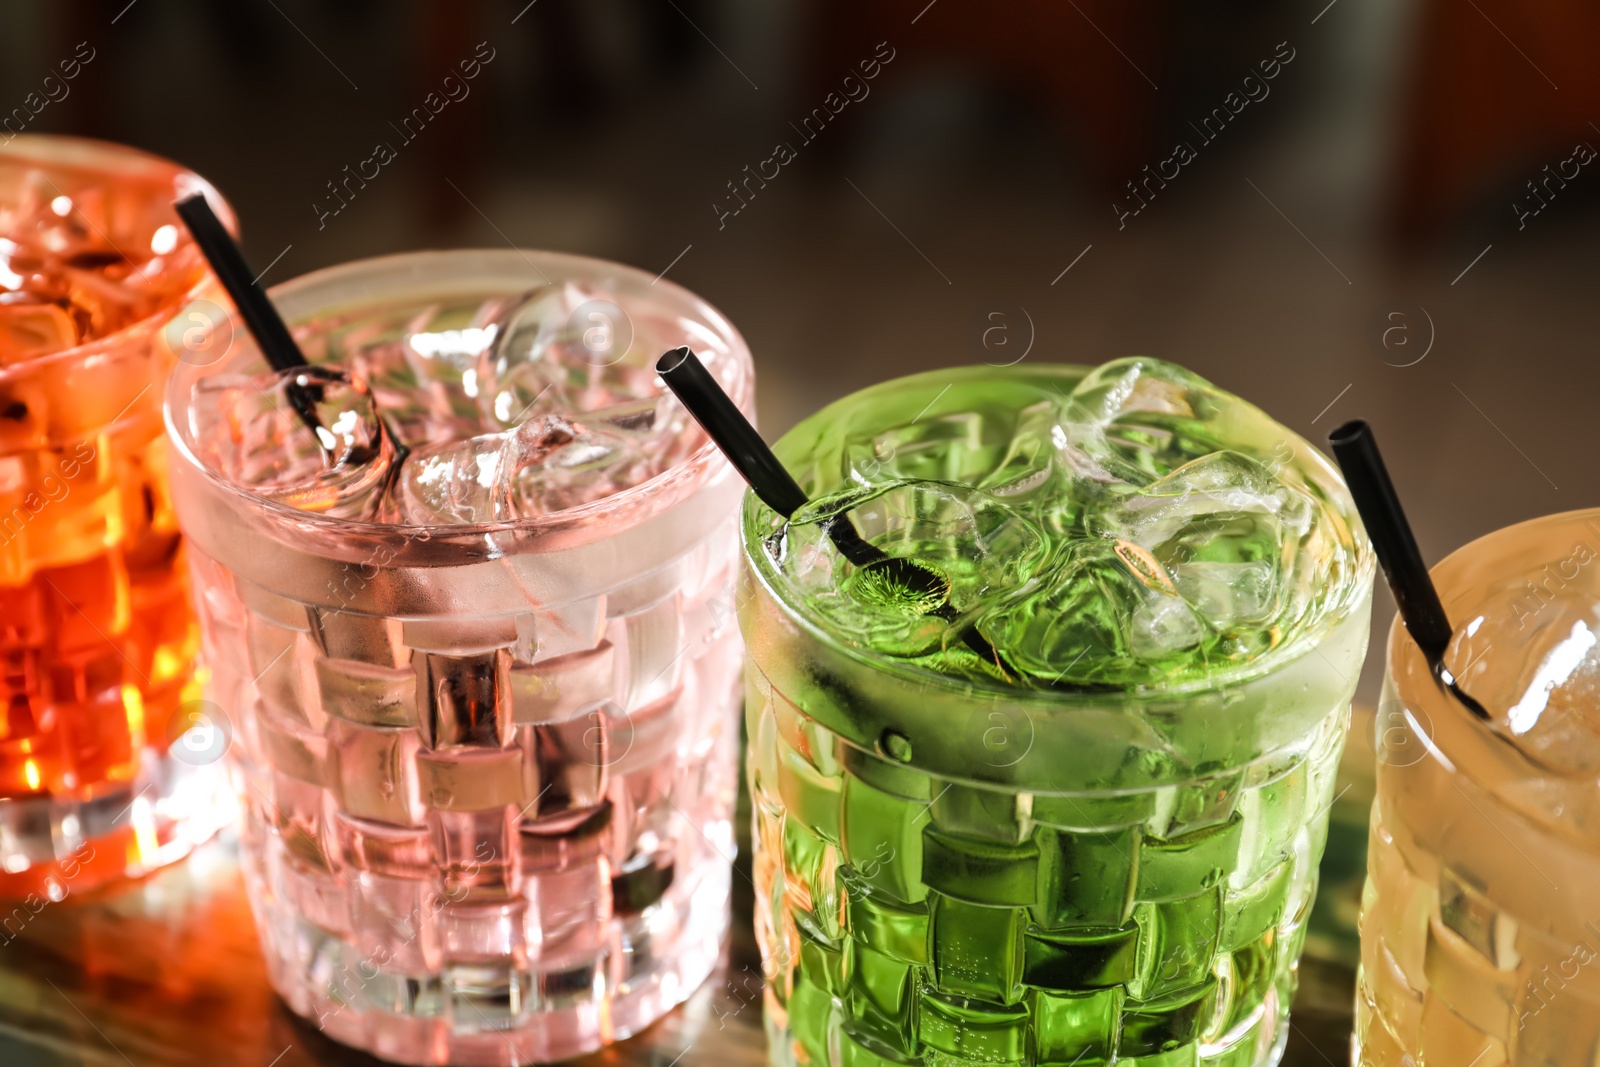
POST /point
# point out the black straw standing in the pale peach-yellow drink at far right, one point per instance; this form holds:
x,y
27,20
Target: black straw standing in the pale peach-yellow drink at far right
x,y
1375,497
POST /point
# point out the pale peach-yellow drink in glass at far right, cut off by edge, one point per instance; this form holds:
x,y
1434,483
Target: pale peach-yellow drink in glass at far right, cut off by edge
x,y
1479,935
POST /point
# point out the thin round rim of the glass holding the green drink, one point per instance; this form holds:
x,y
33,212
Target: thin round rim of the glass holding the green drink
x,y
1306,641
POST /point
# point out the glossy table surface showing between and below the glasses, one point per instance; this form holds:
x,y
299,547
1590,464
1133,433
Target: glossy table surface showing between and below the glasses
x,y
167,973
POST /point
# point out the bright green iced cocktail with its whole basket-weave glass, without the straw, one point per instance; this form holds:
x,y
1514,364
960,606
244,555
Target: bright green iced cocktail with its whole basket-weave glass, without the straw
x,y
1063,801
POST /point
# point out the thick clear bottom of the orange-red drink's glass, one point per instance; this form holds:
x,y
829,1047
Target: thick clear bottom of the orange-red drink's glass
x,y
52,847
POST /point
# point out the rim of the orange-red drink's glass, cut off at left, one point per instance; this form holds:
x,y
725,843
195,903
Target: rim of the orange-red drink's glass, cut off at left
x,y
183,182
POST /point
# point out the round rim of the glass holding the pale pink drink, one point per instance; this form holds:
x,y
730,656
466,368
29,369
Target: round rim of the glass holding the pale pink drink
x,y
313,292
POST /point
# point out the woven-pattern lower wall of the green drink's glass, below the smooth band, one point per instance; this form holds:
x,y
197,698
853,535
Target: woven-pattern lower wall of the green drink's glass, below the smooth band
x,y
913,919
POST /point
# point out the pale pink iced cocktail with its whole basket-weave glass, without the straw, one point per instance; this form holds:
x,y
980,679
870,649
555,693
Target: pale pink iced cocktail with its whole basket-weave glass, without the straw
x,y
465,589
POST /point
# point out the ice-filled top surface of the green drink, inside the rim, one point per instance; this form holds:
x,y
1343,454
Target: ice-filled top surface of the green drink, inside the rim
x,y
1142,529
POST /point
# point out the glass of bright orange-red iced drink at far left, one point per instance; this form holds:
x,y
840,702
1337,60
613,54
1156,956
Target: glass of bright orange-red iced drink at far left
x,y
97,636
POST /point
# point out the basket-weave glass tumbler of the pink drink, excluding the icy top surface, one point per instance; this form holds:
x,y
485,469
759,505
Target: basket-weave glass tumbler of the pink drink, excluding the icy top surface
x,y
487,770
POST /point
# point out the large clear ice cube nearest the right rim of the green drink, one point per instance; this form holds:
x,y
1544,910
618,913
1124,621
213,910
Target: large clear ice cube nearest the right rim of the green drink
x,y
1226,530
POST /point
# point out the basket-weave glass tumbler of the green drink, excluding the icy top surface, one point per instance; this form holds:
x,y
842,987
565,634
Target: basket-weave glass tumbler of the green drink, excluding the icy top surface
x,y
959,876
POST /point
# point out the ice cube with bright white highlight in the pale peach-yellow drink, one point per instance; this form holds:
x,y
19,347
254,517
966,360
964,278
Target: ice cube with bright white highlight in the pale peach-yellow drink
x,y
1535,666
